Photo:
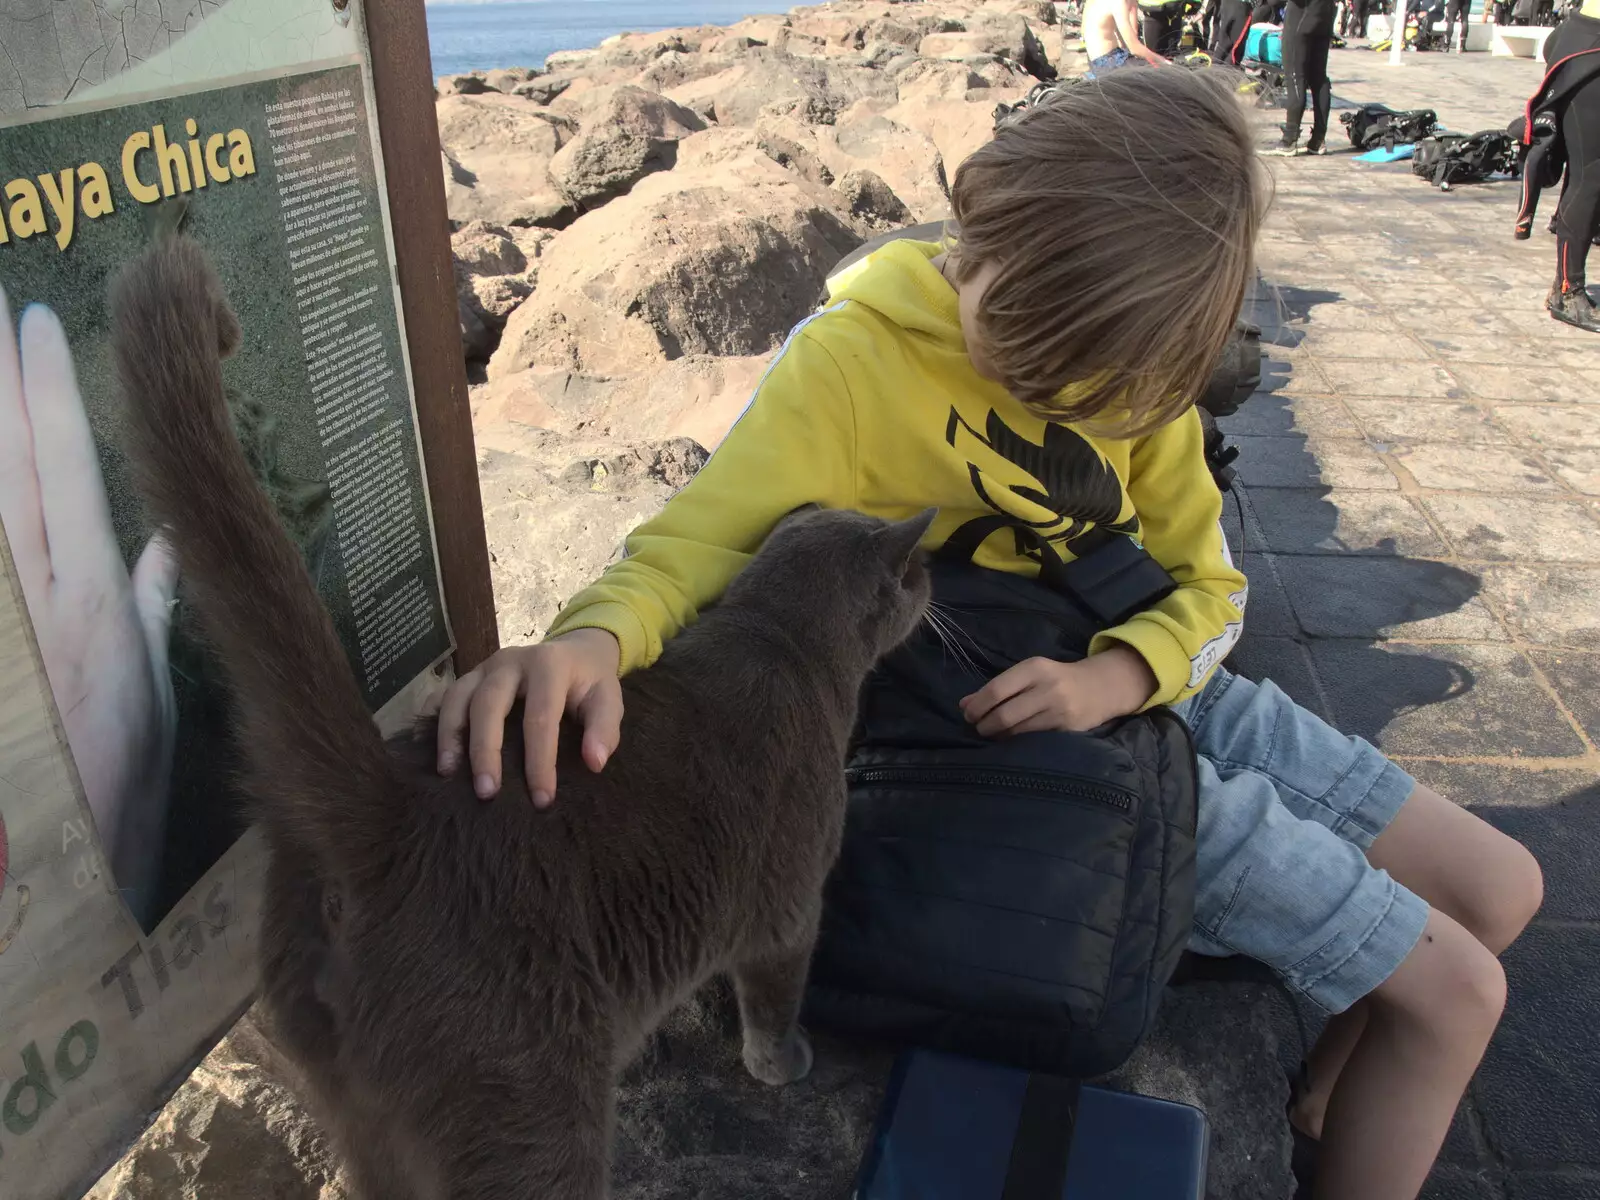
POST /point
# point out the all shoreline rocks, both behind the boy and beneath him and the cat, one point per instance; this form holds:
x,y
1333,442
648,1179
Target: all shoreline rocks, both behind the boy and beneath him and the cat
x,y
636,231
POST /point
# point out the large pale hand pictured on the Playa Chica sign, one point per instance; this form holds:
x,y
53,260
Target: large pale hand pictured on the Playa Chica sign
x,y
102,631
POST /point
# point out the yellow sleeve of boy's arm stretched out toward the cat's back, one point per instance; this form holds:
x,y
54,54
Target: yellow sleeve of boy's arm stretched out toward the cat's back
x,y
796,444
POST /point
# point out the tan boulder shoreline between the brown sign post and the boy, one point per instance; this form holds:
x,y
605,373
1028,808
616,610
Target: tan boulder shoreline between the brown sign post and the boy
x,y
639,226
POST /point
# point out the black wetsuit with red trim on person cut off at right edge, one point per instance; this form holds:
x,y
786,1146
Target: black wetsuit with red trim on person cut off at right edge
x,y
1570,102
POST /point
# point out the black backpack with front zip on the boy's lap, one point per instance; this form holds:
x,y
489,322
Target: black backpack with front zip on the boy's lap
x,y
1020,900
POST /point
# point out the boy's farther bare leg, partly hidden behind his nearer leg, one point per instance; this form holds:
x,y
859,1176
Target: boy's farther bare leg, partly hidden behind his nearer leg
x,y
1463,868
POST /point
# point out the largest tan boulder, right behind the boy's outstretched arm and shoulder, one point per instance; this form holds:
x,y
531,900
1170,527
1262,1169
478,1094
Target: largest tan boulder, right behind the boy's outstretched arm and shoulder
x,y
722,255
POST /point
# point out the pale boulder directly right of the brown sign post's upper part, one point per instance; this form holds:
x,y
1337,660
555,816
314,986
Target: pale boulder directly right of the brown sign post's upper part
x,y
498,156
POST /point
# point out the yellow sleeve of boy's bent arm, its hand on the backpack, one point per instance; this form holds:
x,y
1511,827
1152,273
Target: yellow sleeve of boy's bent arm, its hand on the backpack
x,y
1188,634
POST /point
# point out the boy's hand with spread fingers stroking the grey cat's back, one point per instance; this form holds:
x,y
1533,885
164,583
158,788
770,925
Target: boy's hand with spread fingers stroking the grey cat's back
x,y
575,673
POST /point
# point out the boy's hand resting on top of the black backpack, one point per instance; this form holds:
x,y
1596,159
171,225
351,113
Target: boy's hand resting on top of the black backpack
x,y
1046,695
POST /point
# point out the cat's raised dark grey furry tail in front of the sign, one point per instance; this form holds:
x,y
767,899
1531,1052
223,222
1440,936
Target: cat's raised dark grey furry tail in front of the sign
x,y
316,762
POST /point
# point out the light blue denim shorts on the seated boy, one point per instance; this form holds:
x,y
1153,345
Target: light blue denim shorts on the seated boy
x,y
1289,807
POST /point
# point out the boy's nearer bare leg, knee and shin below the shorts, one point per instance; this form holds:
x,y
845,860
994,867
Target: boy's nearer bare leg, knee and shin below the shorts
x,y
1426,1030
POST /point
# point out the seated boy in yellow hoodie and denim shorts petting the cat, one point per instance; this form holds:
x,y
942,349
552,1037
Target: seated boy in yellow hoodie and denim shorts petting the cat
x,y
929,382
